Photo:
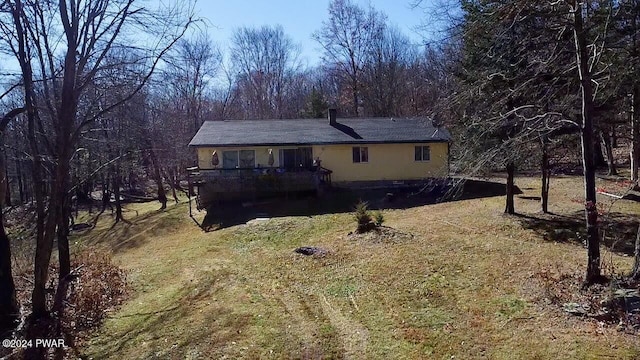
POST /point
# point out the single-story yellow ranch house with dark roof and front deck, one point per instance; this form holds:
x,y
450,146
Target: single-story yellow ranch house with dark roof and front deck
x,y
249,157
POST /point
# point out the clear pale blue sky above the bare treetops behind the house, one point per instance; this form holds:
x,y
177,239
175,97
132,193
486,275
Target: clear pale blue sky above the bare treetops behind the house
x,y
299,19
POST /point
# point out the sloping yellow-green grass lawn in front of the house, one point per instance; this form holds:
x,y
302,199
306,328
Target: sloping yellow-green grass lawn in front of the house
x,y
463,283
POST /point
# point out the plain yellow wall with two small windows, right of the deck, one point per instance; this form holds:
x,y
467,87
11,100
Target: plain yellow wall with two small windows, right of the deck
x,y
386,162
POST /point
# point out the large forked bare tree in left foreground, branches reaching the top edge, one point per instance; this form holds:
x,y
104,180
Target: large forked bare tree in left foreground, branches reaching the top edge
x,y
89,30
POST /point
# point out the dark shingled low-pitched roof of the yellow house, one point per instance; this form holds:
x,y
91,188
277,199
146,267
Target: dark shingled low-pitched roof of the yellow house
x,y
317,132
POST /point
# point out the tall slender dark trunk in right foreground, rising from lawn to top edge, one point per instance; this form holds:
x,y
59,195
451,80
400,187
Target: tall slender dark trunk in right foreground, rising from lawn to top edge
x,y
591,213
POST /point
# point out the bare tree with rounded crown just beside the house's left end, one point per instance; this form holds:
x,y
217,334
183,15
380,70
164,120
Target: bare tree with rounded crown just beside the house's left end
x,y
183,89
